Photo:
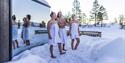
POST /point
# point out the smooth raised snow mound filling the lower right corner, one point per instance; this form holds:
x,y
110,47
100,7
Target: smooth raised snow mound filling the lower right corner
x,y
112,53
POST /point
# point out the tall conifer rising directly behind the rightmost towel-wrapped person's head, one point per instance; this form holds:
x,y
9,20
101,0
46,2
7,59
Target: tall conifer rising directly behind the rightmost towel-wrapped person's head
x,y
76,9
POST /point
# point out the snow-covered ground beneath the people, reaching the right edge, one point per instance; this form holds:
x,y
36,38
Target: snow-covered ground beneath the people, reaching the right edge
x,y
110,48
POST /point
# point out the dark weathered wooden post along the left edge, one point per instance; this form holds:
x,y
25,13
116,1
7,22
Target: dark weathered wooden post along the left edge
x,y
5,30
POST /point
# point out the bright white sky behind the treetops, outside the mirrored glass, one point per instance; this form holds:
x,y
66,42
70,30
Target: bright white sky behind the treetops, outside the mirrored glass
x,y
114,7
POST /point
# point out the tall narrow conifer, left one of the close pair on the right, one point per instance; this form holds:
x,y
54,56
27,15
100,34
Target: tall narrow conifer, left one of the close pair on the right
x,y
94,11
